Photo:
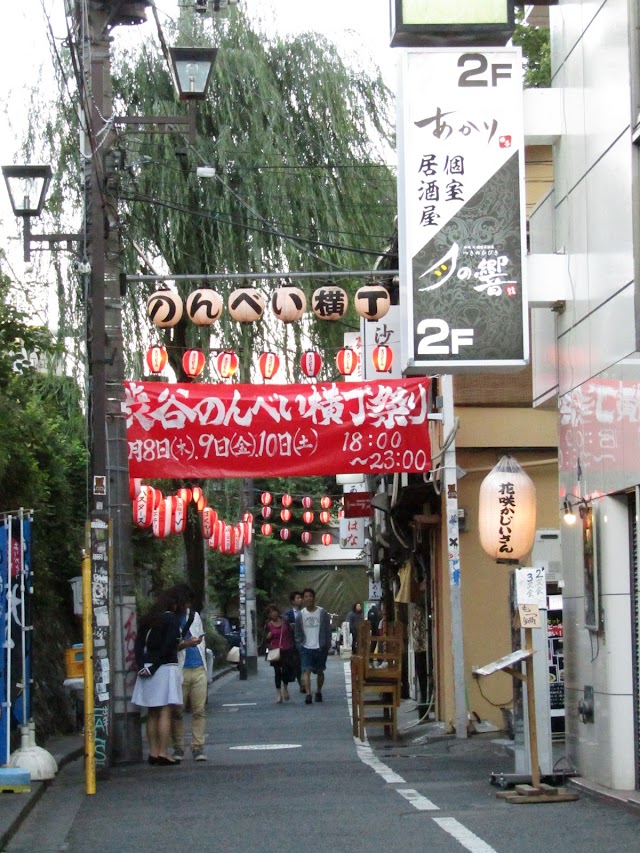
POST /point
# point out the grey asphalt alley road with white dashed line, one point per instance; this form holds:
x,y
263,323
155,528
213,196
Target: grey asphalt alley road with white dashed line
x,y
291,777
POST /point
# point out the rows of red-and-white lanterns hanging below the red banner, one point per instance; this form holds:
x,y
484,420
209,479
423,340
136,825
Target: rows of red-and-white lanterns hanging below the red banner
x,y
168,515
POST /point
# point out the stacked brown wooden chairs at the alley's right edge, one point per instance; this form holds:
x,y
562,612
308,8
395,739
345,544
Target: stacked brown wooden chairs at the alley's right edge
x,y
376,678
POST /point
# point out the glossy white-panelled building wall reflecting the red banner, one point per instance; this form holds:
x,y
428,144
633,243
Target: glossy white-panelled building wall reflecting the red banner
x,y
599,435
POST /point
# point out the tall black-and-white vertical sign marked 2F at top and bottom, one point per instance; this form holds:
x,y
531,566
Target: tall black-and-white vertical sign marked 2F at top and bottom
x,y
461,205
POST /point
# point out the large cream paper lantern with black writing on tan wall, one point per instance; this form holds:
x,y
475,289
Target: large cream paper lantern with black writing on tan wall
x,y
507,512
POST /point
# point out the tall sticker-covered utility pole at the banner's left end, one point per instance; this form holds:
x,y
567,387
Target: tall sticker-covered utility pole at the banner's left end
x,y
117,723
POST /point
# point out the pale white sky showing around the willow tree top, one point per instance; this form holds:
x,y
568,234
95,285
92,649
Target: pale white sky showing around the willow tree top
x,y
361,26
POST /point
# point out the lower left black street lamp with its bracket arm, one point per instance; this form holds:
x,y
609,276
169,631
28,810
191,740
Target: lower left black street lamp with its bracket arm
x,y
27,187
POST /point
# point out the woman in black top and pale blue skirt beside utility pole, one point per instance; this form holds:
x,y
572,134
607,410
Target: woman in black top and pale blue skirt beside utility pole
x,y
158,687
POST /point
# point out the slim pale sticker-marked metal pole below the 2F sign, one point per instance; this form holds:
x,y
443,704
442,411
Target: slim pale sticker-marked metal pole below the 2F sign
x,y
452,532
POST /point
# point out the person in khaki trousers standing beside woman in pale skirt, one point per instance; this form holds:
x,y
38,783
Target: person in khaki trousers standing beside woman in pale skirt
x,y
192,660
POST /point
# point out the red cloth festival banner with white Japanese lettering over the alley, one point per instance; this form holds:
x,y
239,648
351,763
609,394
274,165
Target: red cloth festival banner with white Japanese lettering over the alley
x,y
228,430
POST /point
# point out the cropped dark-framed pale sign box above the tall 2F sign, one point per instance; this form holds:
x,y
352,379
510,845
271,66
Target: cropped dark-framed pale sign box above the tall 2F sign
x,y
433,23
